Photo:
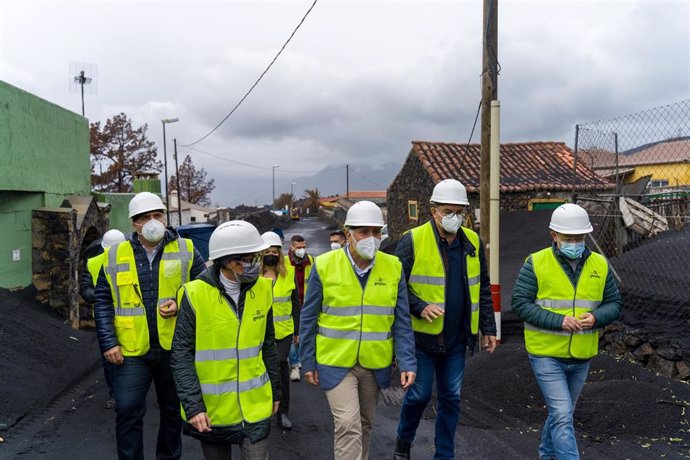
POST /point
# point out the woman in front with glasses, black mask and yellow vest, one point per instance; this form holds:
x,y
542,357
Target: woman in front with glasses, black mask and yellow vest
x,y
224,357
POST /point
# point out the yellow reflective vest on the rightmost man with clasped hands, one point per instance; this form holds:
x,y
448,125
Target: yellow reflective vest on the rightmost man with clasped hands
x,y
557,294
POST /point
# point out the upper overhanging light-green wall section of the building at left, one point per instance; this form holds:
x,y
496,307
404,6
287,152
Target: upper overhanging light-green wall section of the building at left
x,y
43,147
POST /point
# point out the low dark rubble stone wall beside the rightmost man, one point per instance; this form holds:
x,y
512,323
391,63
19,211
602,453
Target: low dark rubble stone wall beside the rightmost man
x,y
663,356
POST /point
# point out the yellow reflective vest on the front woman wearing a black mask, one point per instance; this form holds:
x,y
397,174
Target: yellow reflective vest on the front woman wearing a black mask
x,y
235,385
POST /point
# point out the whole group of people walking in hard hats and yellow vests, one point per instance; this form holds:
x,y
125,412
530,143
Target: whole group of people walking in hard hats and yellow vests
x,y
222,340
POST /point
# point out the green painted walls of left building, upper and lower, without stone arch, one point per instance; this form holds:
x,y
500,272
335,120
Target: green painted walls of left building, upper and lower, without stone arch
x,y
44,156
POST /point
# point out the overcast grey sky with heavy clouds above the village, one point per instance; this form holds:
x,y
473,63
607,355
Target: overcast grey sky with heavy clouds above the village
x,y
357,83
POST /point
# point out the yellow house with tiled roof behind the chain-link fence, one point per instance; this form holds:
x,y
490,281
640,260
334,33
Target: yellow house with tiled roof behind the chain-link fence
x,y
667,162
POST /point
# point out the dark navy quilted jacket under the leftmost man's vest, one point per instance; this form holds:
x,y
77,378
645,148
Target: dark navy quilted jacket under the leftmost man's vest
x,y
148,285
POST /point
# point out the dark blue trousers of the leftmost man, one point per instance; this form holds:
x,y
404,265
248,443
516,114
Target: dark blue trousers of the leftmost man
x,y
132,382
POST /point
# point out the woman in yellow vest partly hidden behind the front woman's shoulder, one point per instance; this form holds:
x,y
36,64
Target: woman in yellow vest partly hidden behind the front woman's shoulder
x,y
285,314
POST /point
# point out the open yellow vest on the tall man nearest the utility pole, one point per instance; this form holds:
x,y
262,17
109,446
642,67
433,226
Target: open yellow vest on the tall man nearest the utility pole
x,y
428,277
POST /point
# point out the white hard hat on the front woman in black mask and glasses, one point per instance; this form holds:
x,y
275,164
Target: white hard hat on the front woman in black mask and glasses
x,y
235,237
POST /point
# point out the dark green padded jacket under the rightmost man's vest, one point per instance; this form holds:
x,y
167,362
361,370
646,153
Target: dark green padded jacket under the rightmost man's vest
x,y
527,286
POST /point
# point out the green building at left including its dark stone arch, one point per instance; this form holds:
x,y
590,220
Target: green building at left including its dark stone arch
x,y
47,213
